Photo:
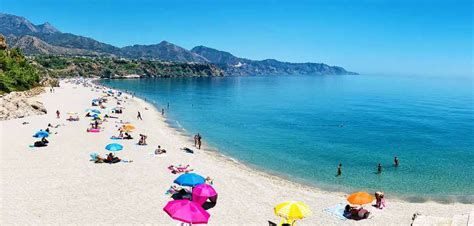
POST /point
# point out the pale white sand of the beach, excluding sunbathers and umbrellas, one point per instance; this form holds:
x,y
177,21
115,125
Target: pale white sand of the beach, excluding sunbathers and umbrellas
x,y
58,184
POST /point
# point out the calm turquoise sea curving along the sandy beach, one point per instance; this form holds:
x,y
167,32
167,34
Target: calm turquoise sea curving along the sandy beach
x,y
301,127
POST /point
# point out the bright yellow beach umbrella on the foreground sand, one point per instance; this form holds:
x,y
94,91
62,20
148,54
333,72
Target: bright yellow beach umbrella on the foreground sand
x,y
292,210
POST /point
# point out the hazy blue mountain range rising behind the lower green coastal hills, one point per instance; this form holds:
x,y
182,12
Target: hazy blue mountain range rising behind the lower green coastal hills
x,y
45,39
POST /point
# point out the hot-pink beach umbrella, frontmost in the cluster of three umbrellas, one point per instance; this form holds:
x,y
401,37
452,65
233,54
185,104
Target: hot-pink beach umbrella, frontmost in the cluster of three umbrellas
x,y
186,211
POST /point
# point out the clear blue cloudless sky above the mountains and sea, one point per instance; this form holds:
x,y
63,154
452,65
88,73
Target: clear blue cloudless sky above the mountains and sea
x,y
418,37
